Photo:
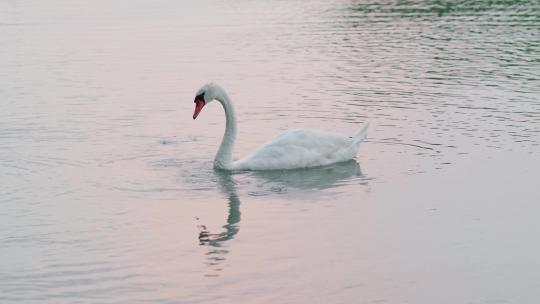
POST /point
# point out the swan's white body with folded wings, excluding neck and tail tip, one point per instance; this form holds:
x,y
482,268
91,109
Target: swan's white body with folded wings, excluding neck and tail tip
x,y
299,148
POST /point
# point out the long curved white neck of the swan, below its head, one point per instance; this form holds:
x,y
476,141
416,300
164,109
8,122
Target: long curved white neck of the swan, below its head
x,y
224,158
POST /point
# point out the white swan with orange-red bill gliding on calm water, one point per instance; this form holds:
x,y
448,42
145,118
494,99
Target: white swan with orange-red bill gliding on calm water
x,y
292,149
